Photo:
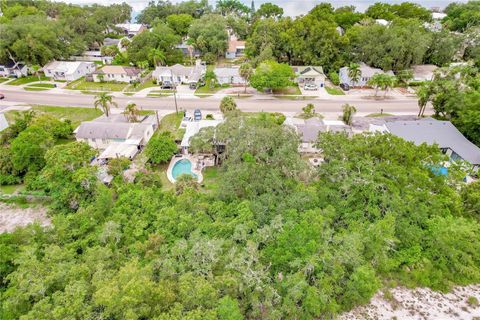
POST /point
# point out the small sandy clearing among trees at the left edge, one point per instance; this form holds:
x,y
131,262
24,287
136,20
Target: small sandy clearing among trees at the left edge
x,y
12,217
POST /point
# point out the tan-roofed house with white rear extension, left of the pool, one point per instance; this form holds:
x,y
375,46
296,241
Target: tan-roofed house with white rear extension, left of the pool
x,y
115,136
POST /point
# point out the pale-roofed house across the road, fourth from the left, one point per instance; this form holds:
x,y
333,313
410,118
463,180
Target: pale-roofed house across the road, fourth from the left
x,y
179,74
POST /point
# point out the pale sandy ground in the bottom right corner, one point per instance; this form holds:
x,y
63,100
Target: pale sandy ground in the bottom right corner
x,y
420,303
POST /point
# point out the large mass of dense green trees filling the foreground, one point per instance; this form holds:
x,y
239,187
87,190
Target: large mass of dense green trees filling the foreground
x,y
277,239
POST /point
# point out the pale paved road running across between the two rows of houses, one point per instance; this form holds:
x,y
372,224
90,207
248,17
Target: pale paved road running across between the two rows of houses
x,y
332,105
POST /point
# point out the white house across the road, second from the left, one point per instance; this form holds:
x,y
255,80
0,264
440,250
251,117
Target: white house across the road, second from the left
x,y
68,70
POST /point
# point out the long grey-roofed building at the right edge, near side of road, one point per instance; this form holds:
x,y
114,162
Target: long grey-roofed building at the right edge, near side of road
x,y
442,133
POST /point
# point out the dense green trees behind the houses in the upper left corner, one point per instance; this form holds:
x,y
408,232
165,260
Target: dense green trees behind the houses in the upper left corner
x,y
38,31
